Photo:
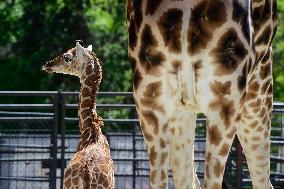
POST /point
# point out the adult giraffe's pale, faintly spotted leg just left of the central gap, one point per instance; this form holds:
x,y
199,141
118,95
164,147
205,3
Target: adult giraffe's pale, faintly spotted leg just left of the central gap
x,y
182,135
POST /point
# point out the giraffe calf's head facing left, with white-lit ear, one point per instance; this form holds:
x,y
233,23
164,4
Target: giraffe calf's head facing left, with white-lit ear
x,y
71,62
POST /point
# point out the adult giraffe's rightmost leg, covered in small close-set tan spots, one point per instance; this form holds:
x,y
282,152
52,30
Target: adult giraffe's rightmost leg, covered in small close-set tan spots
x,y
254,130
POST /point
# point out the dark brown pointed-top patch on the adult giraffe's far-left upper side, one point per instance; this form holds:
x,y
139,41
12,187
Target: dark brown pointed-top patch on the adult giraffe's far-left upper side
x,y
150,58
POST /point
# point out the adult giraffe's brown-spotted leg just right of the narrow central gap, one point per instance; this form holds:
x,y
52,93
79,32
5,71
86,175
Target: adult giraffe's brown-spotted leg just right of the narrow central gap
x,y
221,106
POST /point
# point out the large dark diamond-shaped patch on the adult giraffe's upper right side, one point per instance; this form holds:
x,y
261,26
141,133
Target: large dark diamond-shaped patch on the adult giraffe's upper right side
x,y
229,53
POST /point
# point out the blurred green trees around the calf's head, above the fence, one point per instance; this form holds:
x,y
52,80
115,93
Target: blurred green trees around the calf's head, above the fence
x,y
35,31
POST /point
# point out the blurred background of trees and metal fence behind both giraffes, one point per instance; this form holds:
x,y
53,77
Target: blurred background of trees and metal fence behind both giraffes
x,y
39,130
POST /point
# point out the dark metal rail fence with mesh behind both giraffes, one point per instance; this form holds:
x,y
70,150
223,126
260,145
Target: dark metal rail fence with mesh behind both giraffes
x,y
38,138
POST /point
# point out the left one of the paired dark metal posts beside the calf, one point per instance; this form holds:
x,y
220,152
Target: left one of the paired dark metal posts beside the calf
x,y
53,152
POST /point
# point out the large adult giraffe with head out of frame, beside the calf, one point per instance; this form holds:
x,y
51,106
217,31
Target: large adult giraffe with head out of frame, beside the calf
x,y
210,56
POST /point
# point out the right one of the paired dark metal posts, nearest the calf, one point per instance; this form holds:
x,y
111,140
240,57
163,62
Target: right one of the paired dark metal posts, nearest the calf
x,y
63,130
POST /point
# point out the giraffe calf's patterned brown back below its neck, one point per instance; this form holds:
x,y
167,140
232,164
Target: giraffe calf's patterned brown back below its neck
x,y
91,167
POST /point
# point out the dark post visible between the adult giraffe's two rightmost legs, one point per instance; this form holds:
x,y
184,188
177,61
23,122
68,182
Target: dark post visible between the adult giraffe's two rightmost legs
x,y
239,164
